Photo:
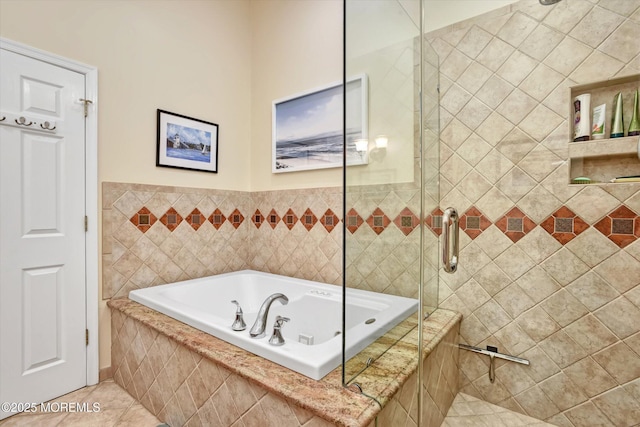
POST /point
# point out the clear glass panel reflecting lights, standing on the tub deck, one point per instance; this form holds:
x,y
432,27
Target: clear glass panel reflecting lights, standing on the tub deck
x,y
394,192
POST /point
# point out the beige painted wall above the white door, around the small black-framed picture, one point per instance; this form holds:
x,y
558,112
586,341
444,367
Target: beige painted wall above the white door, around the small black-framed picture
x,y
189,57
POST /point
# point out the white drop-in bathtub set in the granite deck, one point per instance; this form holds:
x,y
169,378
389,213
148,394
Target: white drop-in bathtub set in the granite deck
x,y
315,310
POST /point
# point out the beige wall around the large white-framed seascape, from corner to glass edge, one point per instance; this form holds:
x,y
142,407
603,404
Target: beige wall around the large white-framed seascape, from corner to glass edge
x,y
296,46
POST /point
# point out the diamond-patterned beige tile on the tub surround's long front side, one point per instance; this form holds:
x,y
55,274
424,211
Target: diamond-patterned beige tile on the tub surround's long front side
x,y
182,388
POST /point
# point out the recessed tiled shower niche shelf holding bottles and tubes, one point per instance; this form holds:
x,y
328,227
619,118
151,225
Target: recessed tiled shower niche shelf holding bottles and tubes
x,y
602,160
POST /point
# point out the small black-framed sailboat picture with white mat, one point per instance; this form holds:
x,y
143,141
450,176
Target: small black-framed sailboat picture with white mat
x,y
186,143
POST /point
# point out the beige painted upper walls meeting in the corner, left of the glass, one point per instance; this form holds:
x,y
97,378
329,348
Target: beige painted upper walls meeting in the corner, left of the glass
x,y
194,58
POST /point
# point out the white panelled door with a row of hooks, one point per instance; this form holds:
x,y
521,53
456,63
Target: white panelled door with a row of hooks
x,y
42,232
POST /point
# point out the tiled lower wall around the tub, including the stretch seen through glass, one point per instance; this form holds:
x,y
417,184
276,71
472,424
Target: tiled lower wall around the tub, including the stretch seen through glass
x,y
155,235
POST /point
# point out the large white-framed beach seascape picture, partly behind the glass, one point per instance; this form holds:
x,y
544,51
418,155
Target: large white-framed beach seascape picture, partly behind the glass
x,y
308,128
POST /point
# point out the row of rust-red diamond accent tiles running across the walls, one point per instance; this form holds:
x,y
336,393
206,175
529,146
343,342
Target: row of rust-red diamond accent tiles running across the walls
x,y
621,226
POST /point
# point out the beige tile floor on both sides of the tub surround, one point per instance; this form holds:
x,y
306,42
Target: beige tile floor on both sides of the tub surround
x,y
119,409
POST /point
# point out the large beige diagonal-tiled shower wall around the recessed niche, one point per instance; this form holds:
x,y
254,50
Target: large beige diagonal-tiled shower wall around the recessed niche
x,y
549,271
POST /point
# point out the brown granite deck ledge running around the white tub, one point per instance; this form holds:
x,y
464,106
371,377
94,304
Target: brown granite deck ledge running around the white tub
x,y
326,398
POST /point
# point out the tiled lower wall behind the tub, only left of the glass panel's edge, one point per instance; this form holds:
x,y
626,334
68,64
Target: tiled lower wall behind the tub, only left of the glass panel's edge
x,y
155,235
